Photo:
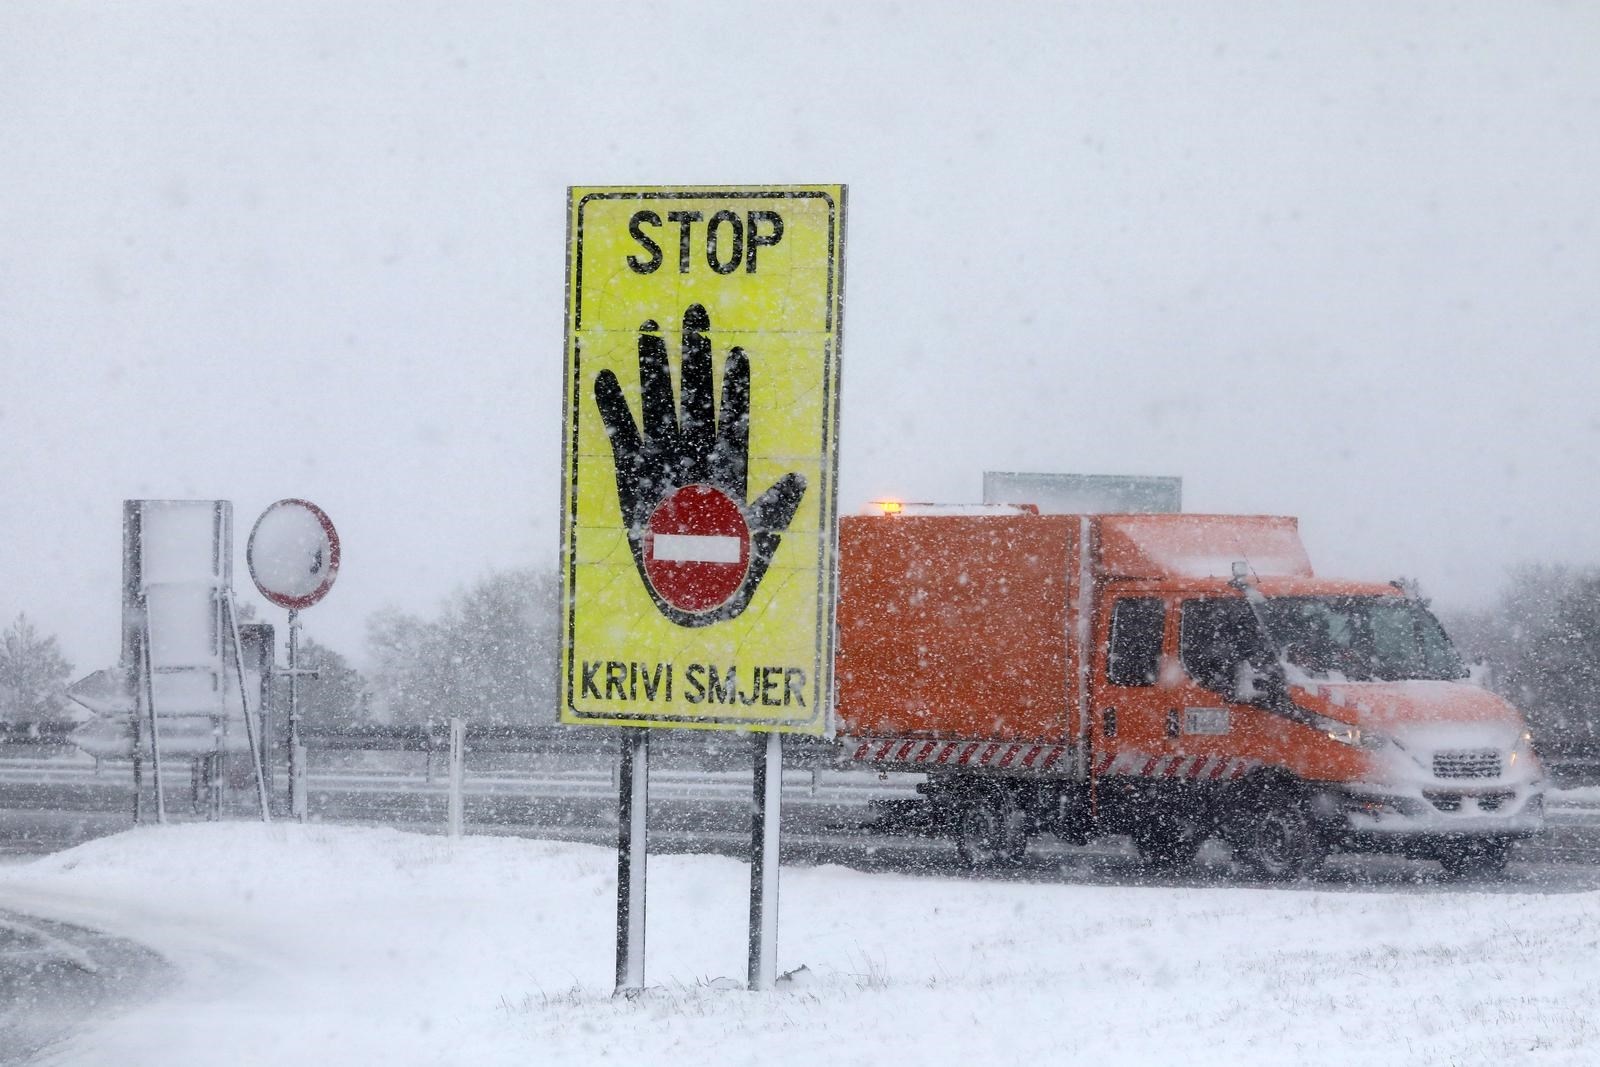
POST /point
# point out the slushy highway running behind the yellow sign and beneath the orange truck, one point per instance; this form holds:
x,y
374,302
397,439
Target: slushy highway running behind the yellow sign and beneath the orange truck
x,y
54,804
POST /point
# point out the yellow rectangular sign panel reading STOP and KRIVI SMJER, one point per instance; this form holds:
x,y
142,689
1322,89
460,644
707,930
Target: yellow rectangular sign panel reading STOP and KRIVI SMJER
x,y
702,455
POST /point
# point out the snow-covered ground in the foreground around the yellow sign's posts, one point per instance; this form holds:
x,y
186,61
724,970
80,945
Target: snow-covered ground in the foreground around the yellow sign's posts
x,y
356,946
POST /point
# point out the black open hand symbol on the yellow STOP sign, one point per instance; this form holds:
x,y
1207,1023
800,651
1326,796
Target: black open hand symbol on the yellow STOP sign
x,y
687,455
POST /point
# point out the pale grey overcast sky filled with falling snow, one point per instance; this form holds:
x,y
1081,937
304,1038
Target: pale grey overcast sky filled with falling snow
x,y
1338,262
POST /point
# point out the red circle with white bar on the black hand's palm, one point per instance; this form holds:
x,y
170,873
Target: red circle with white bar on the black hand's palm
x,y
697,549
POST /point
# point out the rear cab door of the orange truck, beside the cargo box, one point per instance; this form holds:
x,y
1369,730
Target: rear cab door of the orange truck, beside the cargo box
x,y
1130,705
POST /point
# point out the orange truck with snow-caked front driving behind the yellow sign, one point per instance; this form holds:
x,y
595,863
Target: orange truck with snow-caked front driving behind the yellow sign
x,y
1170,677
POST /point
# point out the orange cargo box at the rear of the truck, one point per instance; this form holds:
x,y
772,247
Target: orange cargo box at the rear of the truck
x,y
958,628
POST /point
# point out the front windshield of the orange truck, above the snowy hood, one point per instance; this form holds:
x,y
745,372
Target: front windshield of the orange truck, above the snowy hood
x,y
1362,639
